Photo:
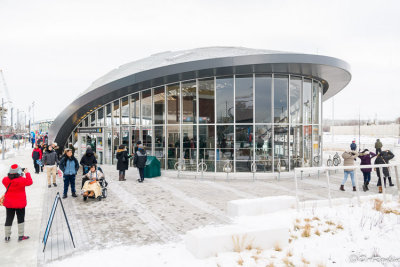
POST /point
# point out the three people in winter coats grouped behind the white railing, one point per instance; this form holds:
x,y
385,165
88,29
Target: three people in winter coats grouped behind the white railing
x,y
366,157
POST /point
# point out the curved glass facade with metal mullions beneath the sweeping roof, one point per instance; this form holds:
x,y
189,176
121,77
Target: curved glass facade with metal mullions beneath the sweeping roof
x,y
261,121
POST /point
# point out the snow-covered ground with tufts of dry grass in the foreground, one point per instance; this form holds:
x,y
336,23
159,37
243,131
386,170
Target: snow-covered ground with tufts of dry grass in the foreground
x,y
340,236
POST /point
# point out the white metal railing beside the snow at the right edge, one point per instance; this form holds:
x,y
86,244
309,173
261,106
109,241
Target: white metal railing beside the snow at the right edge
x,y
356,168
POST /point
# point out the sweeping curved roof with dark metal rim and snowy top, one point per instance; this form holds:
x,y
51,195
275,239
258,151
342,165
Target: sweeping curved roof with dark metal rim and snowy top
x,y
168,67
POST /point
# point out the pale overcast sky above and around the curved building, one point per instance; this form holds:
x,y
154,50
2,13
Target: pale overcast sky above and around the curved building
x,y
50,51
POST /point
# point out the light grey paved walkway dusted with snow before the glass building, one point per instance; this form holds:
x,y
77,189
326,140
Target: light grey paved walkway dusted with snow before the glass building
x,y
160,210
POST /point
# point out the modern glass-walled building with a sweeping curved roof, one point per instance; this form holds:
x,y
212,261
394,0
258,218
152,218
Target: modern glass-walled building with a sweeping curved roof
x,y
258,109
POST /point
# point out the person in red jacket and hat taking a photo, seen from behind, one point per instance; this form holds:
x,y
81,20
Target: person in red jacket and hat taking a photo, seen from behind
x,y
15,200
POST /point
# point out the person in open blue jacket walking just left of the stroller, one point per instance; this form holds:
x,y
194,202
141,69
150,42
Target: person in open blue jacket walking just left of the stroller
x,y
69,165
